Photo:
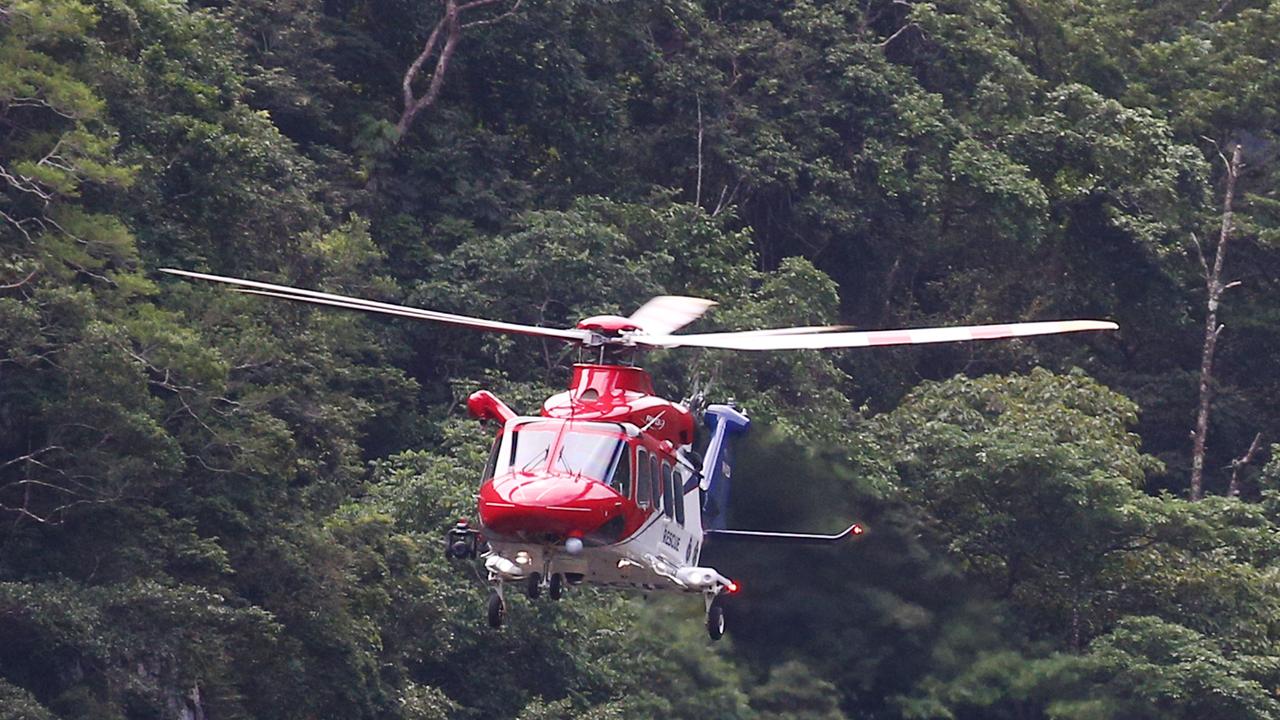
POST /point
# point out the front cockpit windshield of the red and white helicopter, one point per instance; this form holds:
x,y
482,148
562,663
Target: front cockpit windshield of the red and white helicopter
x,y
589,450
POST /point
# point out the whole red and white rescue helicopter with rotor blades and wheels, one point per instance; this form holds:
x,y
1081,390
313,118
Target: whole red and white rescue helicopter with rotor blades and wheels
x,y
605,486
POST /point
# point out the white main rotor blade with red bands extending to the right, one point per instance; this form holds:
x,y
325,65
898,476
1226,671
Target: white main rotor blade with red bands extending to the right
x,y
872,339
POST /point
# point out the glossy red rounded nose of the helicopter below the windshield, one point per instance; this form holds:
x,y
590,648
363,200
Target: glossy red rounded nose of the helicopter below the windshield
x,y
547,507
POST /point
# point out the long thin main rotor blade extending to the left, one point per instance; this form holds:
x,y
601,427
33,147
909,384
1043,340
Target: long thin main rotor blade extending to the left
x,y
318,298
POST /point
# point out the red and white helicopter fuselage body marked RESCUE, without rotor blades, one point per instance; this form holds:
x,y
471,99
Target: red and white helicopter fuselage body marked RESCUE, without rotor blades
x,y
598,489
